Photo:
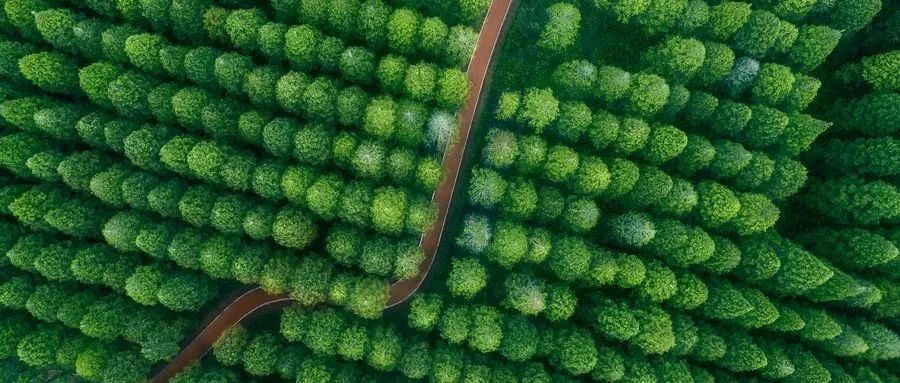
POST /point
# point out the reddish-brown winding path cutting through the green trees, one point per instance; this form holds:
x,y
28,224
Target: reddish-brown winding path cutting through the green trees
x,y
256,300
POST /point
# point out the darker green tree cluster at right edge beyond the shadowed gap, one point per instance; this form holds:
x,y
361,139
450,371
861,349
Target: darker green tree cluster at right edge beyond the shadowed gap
x,y
853,197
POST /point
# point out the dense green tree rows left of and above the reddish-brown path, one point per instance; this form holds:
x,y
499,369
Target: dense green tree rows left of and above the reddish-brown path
x,y
157,155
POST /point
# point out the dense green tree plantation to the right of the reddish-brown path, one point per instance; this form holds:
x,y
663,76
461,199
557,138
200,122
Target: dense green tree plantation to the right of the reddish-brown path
x,y
683,191
